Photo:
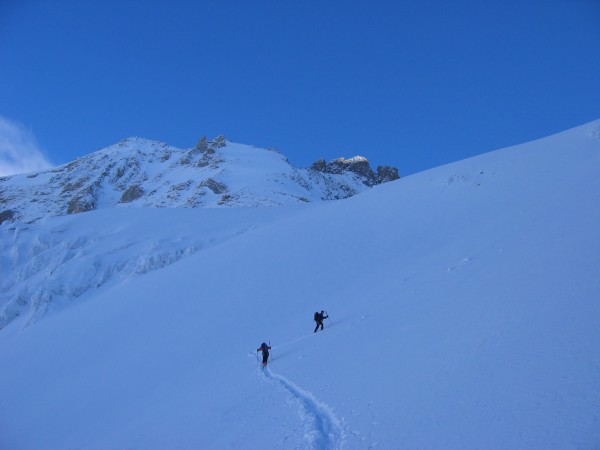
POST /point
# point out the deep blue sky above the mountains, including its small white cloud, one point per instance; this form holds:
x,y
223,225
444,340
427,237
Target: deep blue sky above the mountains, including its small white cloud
x,y
412,84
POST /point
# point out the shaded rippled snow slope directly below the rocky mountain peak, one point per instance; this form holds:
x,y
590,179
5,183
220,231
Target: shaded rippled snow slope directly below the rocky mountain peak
x,y
47,266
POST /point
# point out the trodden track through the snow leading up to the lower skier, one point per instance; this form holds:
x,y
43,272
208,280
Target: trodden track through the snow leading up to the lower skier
x,y
324,429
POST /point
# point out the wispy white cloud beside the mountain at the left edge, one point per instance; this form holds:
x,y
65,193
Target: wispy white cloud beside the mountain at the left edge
x,y
19,150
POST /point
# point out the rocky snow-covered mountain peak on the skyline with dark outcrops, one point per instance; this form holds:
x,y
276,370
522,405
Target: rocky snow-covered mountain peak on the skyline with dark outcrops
x,y
142,173
